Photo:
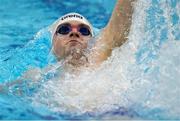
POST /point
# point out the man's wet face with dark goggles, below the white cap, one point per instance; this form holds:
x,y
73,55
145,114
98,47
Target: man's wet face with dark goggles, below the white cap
x,y
70,38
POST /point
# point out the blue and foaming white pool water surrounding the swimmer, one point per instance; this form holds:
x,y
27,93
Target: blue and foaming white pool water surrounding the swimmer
x,y
139,81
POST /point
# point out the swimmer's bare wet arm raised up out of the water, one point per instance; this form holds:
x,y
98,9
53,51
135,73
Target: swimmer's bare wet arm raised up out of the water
x,y
116,31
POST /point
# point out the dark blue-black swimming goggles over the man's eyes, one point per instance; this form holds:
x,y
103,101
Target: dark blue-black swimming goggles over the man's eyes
x,y
66,28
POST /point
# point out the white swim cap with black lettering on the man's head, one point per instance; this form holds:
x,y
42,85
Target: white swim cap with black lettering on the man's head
x,y
69,17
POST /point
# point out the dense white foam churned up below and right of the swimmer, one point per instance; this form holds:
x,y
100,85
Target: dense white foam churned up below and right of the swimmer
x,y
120,81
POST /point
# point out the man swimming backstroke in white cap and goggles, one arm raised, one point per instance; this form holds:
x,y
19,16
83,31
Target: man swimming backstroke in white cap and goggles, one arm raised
x,y
72,33
